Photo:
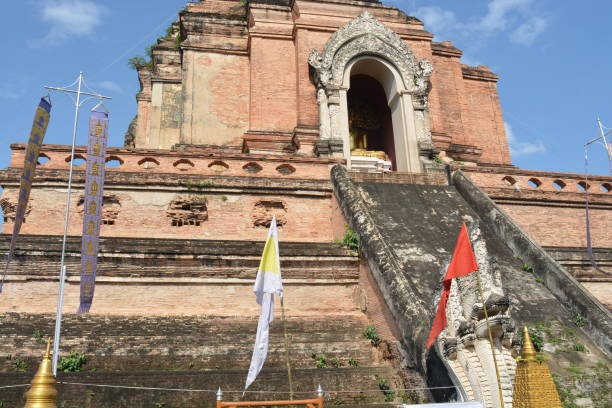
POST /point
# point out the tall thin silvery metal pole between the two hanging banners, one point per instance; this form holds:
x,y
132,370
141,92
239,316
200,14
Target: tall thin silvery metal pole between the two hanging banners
x,y
58,319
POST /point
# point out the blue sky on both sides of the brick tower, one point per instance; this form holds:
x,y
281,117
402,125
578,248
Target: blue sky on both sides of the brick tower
x,y
554,58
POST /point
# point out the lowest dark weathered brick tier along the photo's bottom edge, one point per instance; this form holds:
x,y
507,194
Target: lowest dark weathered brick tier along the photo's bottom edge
x,y
343,385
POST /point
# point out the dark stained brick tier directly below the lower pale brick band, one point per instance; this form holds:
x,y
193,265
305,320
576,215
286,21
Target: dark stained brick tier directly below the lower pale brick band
x,y
154,343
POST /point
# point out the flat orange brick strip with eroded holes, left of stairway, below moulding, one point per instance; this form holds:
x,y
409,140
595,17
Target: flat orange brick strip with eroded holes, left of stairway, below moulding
x,y
231,214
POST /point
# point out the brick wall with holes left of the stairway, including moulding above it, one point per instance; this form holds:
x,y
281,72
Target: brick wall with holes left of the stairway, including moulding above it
x,y
236,206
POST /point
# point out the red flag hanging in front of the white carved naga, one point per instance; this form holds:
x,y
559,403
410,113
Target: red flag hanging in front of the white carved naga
x,y
462,263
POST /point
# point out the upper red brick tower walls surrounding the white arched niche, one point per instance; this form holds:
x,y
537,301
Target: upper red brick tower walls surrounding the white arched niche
x,y
247,70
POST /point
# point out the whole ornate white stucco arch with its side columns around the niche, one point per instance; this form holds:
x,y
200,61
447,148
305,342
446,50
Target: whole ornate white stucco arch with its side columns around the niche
x,y
365,38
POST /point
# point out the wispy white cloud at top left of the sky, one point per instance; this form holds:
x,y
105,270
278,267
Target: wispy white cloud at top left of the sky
x,y
69,18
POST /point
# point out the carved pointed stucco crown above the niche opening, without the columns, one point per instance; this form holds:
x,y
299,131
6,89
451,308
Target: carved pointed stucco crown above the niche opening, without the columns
x,y
365,35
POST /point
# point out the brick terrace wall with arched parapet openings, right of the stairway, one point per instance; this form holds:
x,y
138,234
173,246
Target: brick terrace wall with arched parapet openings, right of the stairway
x,y
550,207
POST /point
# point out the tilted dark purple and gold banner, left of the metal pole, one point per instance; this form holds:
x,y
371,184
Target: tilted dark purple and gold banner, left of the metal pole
x,y
37,134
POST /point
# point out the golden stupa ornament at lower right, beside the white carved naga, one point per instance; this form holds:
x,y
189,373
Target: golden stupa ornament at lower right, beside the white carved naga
x,y
533,385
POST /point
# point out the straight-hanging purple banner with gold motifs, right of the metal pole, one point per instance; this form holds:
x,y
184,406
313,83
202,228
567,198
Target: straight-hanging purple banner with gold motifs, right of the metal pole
x,y
92,214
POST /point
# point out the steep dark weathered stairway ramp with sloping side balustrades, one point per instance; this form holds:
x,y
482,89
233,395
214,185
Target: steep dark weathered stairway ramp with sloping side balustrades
x,y
407,233
